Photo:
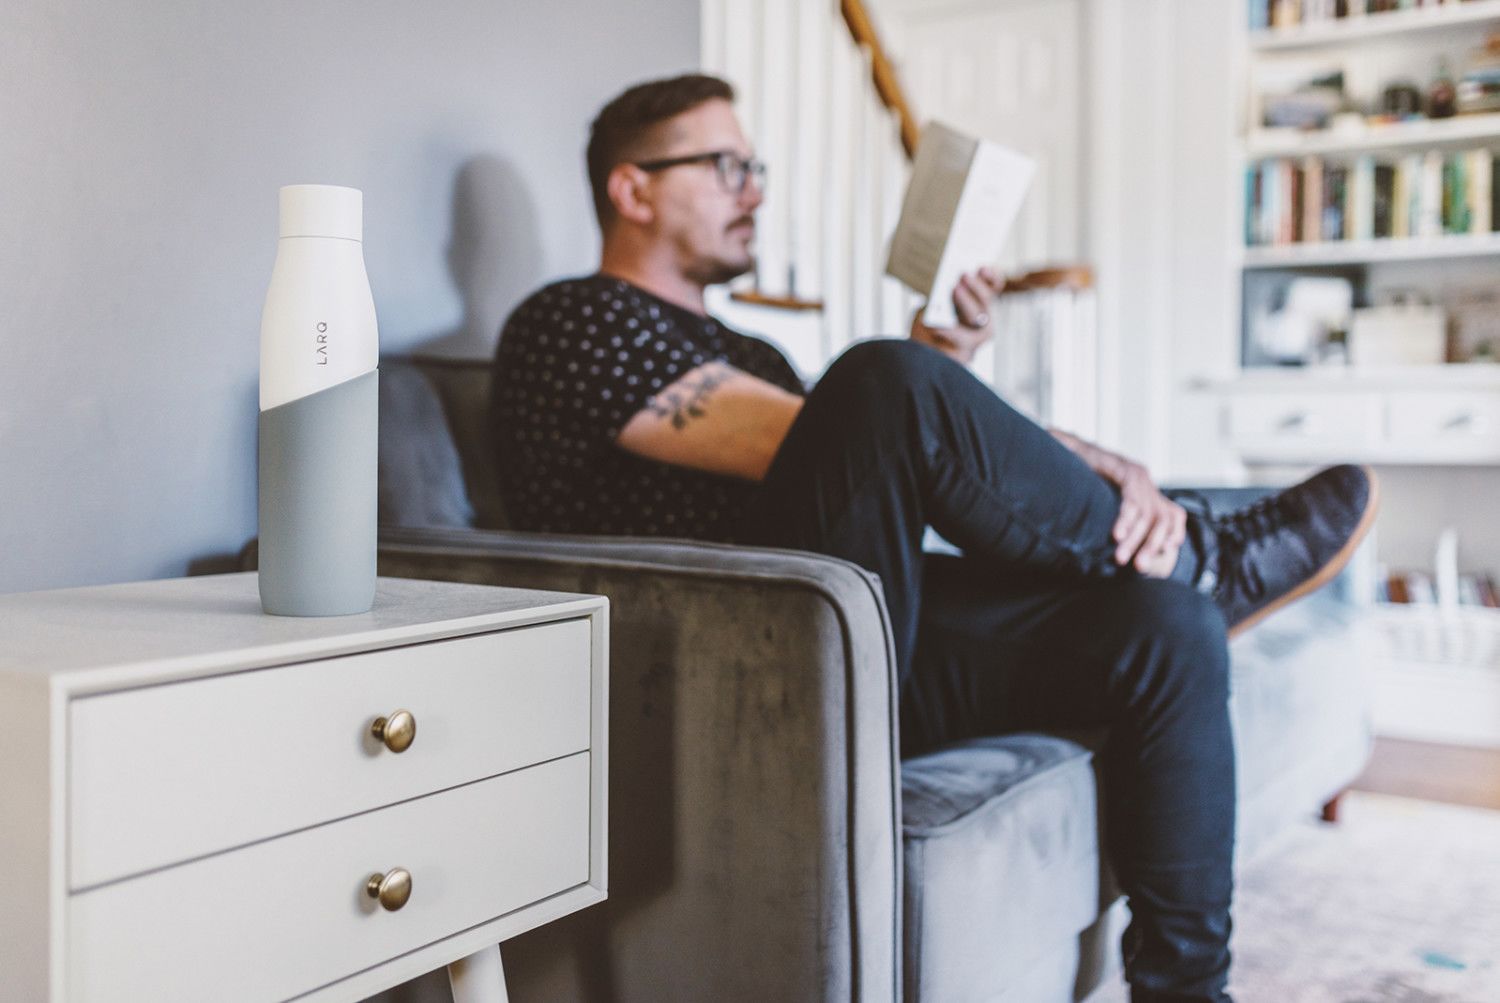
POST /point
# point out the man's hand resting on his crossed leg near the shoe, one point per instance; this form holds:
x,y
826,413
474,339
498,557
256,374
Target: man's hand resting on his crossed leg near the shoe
x,y
1151,527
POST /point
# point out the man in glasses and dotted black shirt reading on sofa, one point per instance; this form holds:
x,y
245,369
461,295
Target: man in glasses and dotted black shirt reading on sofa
x,y
1084,596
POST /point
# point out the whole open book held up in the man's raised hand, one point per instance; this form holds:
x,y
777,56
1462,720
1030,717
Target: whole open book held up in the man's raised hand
x,y
959,209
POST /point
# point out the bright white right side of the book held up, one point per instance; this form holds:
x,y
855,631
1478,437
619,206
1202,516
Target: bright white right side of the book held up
x,y
992,197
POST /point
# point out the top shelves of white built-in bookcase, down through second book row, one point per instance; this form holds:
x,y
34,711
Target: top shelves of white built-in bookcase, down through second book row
x,y
1367,179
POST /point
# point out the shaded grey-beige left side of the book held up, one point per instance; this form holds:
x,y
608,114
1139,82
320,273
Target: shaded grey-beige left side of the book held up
x,y
928,212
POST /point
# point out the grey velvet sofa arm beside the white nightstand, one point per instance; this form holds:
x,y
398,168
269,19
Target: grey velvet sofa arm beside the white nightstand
x,y
754,797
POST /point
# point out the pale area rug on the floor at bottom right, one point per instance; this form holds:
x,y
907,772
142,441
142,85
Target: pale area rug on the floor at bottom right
x,y
1399,903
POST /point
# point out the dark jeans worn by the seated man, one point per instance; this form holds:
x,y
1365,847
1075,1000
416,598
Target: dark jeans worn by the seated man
x,y
1034,627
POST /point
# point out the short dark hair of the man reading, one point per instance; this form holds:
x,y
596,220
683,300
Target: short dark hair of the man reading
x,y
626,124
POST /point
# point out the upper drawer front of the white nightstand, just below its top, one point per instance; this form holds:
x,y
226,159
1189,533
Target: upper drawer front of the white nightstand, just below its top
x,y
172,773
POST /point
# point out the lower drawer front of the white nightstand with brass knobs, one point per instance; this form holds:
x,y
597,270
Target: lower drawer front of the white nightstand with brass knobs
x,y
290,915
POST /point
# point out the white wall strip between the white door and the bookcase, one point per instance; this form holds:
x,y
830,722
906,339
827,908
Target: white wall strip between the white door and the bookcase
x,y
1160,226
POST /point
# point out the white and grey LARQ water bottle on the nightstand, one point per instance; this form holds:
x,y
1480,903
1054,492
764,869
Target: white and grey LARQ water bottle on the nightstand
x,y
320,355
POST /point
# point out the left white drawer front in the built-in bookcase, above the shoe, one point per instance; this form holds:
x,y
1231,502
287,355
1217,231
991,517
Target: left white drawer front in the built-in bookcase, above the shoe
x,y
1304,427
